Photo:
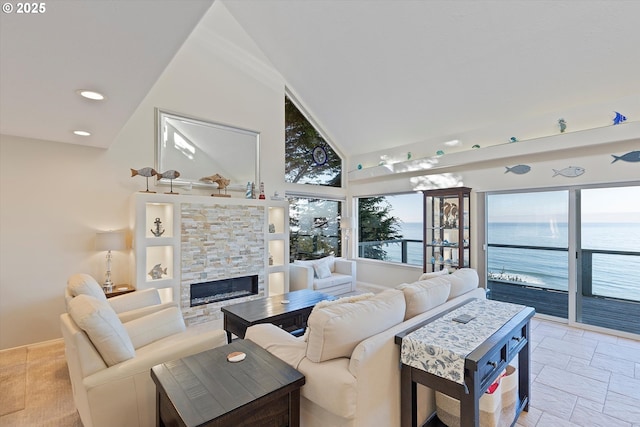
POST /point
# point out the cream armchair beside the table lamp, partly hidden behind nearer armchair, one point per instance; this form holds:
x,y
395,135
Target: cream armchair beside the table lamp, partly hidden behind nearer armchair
x,y
128,306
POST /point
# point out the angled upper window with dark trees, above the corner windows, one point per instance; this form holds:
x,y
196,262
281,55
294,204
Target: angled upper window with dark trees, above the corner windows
x,y
308,157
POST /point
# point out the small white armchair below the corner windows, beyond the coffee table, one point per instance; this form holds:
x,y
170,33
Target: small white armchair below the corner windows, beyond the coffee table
x,y
330,275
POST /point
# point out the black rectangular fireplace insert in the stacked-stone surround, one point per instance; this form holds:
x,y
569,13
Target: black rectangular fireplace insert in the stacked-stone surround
x,y
225,289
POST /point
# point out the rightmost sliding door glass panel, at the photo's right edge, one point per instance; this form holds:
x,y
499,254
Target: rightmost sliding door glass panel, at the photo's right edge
x,y
609,258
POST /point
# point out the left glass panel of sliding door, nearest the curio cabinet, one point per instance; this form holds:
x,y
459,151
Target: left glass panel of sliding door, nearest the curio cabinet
x,y
527,251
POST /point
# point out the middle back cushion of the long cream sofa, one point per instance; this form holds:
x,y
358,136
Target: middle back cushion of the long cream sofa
x,y
424,295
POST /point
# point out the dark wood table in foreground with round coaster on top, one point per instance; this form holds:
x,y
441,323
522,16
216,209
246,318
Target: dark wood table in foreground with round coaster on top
x,y
206,390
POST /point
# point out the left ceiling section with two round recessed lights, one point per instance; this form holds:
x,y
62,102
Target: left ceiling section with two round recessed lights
x,y
119,48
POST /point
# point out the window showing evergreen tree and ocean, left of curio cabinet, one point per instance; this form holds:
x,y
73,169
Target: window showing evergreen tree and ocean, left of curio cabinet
x,y
390,228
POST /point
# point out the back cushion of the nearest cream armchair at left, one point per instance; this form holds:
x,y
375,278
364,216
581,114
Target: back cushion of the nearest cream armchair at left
x,y
103,327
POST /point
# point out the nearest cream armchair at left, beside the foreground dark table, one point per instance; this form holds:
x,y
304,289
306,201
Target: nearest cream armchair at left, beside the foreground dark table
x,y
110,361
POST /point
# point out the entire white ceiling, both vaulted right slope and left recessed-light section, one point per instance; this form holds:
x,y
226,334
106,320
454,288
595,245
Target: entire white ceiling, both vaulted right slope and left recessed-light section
x,y
373,74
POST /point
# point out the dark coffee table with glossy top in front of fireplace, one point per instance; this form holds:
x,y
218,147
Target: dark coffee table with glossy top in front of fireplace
x,y
291,316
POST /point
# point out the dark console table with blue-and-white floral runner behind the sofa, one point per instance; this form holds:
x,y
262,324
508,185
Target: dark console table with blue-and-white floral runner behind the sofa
x,y
478,369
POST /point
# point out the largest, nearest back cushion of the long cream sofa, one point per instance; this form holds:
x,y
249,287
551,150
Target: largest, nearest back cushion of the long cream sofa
x,y
335,330
